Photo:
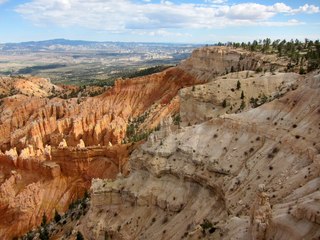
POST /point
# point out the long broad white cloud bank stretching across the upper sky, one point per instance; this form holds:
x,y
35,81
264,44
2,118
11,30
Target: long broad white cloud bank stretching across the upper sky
x,y
146,16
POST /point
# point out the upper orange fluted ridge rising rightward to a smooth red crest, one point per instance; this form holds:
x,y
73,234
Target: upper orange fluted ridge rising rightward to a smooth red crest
x,y
97,120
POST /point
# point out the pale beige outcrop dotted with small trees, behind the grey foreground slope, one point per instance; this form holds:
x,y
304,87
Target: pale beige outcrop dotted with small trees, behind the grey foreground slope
x,y
233,93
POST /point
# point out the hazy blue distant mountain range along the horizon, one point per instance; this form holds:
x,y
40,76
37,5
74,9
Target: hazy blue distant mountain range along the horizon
x,y
69,45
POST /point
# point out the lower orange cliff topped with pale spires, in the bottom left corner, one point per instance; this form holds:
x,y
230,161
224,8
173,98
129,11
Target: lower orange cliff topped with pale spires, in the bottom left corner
x,y
36,183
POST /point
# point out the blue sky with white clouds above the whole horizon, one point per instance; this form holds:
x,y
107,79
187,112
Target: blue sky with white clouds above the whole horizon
x,y
180,21
